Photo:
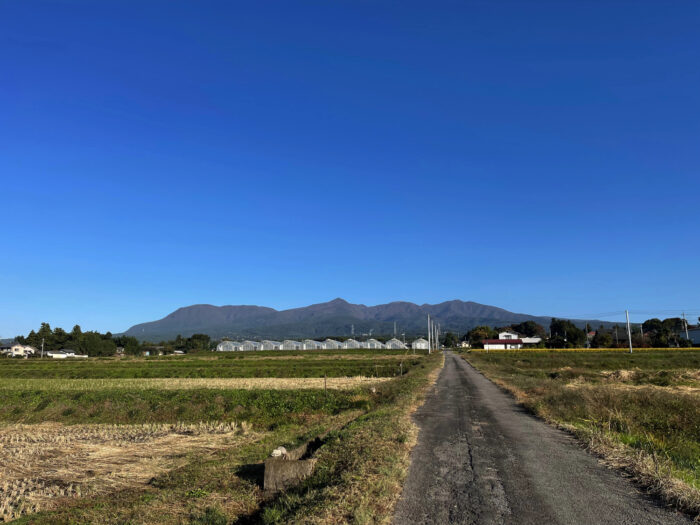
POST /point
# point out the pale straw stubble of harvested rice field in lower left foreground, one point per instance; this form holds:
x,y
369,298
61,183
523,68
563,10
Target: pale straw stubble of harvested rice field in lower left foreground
x,y
43,465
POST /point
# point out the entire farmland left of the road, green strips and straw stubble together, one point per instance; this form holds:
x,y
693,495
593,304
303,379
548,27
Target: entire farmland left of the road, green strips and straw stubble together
x,y
182,440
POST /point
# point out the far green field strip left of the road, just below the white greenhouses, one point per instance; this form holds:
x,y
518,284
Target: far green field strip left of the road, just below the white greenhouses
x,y
219,365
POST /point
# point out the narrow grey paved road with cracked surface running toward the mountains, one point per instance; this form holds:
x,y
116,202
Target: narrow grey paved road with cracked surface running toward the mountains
x,y
482,459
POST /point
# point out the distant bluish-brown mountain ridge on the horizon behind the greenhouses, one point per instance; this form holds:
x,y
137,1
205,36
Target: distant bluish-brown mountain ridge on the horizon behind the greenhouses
x,y
335,317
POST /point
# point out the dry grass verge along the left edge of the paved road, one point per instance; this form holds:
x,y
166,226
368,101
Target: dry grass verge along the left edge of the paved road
x,y
362,466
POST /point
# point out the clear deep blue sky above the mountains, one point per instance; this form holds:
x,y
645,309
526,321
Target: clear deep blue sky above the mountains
x,y
539,156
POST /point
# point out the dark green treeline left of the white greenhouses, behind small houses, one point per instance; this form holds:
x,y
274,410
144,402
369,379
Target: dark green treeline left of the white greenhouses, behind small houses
x,y
96,344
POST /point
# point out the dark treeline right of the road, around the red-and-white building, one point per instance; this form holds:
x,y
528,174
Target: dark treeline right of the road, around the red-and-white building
x,y
562,333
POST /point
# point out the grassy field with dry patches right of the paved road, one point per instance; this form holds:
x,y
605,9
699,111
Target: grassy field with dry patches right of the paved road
x,y
640,411
